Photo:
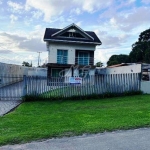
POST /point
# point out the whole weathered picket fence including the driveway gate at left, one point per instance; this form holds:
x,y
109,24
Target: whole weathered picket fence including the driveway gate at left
x,y
15,87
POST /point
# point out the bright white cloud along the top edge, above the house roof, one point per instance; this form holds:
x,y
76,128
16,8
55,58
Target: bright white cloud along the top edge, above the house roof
x,y
53,8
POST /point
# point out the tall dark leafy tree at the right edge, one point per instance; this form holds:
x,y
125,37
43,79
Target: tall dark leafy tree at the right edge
x,y
141,49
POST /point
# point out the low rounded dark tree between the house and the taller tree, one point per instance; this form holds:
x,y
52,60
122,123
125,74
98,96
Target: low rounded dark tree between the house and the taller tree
x,y
118,59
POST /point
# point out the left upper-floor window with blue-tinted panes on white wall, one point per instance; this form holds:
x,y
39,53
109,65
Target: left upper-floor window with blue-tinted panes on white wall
x,y
62,56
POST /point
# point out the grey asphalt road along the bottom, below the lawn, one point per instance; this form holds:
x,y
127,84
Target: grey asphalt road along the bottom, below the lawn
x,y
137,139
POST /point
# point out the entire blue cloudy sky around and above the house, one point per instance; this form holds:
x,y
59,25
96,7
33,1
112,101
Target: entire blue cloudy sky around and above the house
x,y
117,23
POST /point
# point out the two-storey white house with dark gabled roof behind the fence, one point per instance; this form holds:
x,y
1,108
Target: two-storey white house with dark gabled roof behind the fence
x,y
68,47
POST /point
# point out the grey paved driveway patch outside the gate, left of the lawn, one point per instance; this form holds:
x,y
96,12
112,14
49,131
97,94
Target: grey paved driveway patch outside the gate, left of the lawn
x,y
6,106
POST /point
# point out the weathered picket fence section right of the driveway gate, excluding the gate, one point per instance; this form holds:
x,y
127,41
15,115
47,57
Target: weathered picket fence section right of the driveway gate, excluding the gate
x,y
97,84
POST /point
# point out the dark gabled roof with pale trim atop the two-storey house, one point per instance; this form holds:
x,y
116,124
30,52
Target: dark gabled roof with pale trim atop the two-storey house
x,y
54,35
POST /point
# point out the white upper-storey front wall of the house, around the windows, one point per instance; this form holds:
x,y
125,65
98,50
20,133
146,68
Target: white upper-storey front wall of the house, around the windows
x,y
52,58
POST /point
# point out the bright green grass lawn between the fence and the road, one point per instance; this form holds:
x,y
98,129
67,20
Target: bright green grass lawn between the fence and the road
x,y
38,120
